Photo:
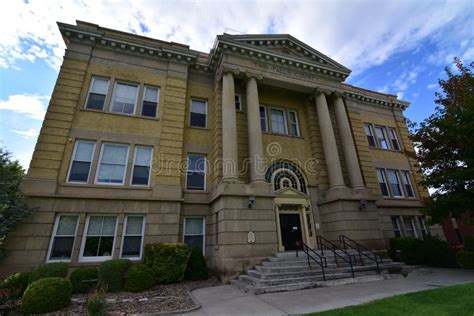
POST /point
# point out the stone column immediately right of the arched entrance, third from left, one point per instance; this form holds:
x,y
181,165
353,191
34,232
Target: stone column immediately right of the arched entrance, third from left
x,y
329,142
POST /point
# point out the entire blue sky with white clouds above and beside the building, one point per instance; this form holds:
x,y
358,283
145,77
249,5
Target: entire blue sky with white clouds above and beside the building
x,y
396,47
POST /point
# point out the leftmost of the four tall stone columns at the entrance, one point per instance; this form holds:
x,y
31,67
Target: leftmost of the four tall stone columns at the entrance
x,y
229,128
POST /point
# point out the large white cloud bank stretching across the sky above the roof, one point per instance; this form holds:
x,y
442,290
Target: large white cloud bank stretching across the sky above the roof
x,y
358,34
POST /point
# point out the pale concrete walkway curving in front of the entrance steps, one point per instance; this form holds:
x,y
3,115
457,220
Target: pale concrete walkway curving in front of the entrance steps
x,y
227,300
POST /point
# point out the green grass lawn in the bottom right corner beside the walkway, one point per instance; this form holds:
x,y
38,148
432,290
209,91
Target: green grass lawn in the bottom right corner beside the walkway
x,y
453,300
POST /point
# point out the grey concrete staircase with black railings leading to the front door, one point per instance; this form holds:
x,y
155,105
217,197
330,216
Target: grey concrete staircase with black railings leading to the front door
x,y
284,271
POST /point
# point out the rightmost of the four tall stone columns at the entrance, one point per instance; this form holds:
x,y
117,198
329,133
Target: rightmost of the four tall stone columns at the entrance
x,y
348,147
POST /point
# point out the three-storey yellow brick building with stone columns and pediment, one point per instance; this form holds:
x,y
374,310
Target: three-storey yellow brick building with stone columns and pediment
x,y
243,151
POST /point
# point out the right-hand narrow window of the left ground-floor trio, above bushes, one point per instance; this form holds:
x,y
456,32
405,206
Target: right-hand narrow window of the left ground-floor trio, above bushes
x,y
132,240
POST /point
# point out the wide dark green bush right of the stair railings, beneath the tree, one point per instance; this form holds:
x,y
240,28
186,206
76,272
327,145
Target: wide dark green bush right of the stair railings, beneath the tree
x,y
431,251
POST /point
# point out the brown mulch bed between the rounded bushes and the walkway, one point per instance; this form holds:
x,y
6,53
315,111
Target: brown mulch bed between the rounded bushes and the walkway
x,y
159,299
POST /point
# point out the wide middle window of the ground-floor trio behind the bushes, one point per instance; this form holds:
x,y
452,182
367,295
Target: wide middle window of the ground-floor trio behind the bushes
x,y
99,238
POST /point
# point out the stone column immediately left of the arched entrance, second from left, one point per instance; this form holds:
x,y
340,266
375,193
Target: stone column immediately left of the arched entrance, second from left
x,y
254,132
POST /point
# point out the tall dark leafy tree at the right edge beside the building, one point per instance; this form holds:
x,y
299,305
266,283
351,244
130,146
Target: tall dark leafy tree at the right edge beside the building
x,y
445,146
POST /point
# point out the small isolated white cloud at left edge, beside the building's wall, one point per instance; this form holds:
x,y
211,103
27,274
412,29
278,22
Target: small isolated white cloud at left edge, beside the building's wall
x,y
34,106
